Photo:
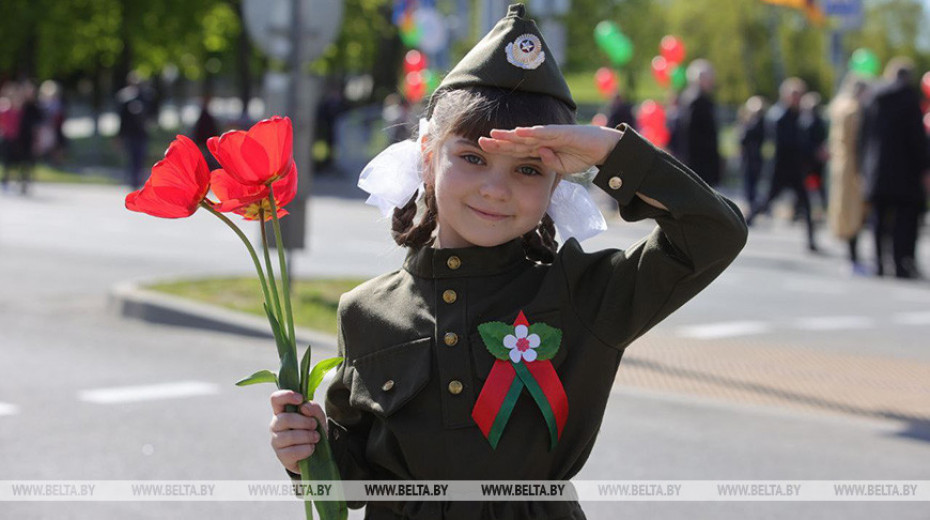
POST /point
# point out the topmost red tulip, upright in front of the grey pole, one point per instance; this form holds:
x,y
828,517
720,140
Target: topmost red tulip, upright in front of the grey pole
x,y
262,155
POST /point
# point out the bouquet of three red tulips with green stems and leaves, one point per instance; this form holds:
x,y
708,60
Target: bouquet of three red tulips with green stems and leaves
x,y
257,179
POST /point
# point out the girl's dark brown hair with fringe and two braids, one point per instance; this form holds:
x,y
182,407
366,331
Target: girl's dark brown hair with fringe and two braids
x,y
472,113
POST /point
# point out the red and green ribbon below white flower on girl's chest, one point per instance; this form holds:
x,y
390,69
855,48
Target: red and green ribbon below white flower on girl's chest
x,y
503,387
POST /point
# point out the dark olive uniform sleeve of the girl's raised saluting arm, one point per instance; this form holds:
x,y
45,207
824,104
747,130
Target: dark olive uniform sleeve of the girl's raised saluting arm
x,y
619,295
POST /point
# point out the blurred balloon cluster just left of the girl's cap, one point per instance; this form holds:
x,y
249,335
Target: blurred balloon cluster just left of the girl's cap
x,y
423,30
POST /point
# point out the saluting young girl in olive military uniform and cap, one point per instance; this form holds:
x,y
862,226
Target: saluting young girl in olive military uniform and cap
x,y
491,354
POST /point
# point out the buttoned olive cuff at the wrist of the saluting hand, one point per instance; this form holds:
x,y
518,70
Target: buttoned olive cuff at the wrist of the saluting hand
x,y
626,166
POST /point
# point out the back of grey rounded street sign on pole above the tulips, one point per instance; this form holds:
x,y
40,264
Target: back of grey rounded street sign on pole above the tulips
x,y
269,24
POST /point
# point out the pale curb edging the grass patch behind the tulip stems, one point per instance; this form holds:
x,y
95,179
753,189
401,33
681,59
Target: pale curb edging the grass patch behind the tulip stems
x,y
130,300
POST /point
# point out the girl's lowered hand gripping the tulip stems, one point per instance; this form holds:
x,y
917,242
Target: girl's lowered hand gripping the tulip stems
x,y
294,435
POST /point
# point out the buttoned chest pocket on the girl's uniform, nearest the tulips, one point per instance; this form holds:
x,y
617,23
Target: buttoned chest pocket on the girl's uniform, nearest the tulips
x,y
385,380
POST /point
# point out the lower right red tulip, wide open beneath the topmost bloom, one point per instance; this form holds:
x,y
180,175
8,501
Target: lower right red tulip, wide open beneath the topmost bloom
x,y
246,200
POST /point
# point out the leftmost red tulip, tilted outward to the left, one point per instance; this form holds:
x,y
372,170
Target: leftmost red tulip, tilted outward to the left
x,y
178,183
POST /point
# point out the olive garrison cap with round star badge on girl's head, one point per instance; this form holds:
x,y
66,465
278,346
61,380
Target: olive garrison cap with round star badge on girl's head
x,y
512,56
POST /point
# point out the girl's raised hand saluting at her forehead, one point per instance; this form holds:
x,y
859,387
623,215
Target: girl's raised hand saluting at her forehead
x,y
564,148
